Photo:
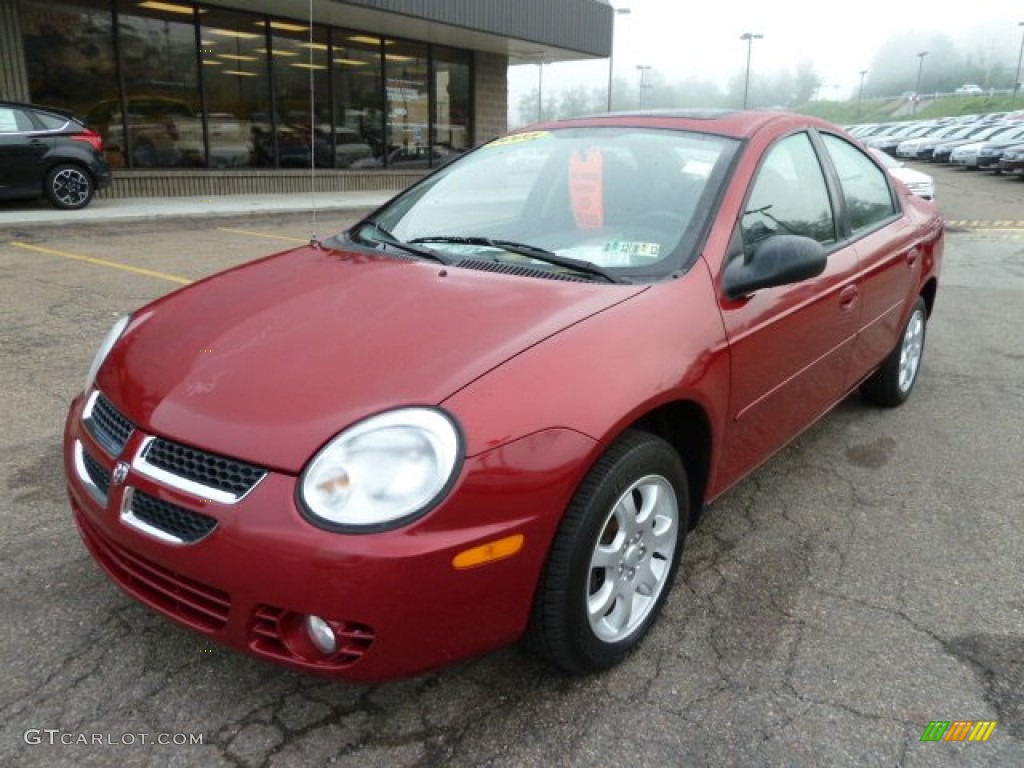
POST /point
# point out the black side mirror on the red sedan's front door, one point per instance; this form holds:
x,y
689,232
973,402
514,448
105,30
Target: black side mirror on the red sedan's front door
x,y
778,262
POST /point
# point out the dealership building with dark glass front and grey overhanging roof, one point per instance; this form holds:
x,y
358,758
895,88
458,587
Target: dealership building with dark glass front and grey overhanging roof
x,y
248,96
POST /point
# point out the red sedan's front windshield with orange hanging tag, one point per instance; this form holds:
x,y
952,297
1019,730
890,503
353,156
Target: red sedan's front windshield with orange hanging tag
x,y
629,202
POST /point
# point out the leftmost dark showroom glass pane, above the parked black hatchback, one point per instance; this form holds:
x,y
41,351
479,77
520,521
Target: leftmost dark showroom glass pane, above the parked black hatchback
x,y
69,52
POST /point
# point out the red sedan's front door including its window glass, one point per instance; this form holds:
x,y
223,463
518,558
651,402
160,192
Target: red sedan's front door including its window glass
x,y
790,346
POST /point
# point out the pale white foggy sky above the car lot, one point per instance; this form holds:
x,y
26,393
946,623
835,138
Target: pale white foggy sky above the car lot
x,y
684,40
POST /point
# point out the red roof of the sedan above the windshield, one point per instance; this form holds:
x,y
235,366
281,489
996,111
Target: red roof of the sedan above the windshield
x,y
733,123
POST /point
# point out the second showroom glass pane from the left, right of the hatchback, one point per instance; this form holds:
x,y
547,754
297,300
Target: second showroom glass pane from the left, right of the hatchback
x,y
157,45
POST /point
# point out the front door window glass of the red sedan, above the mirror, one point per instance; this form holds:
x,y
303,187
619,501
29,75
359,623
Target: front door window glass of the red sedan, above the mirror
x,y
789,196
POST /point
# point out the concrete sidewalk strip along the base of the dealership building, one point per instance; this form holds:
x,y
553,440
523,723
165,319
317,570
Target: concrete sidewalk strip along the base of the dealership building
x,y
142,209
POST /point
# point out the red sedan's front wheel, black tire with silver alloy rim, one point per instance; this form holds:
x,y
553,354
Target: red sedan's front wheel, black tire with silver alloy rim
x,y
615,558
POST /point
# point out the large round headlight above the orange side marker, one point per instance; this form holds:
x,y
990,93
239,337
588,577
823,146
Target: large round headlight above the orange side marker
x,y
381,472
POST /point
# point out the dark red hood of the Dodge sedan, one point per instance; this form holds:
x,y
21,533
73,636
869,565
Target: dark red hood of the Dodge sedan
x,y
268,362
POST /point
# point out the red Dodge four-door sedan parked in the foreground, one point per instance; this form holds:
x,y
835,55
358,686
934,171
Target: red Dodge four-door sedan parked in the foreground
x,y
495,408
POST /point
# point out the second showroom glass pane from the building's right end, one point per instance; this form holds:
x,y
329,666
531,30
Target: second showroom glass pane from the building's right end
x,y
408,105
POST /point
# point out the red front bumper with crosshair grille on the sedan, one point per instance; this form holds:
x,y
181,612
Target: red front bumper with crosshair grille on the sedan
x,y
246,573
